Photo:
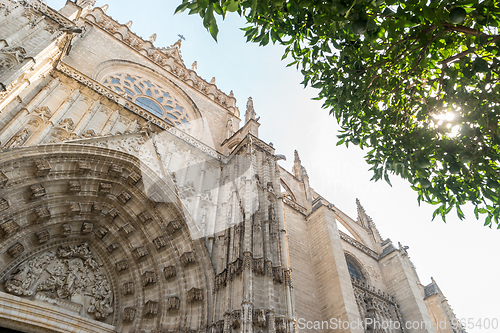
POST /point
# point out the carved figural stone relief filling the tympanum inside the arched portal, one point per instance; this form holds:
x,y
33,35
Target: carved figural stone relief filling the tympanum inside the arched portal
x,y
70,273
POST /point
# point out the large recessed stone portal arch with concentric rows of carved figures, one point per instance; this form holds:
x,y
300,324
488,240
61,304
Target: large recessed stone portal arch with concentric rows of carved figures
x,y
84,243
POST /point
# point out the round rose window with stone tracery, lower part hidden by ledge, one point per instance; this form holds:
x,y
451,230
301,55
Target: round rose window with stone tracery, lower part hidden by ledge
x,y
151,97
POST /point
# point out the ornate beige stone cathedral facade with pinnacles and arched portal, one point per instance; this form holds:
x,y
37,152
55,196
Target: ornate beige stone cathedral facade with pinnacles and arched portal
x,y
134,197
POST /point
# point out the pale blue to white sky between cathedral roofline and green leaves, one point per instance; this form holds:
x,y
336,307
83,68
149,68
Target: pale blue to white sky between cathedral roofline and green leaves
x,y
460,255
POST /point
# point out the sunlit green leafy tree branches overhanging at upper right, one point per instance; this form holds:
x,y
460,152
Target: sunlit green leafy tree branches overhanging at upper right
x,y
416,81
